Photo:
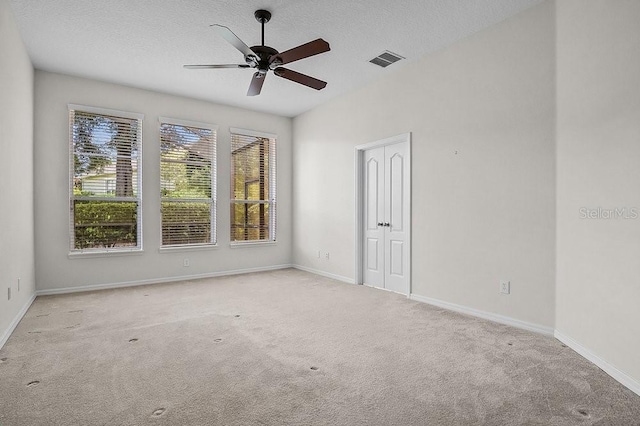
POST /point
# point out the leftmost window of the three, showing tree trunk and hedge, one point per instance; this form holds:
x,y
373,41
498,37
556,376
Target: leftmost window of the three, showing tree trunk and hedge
x,y
105,170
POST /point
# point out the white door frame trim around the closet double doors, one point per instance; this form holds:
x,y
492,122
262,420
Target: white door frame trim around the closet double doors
x,y
359,207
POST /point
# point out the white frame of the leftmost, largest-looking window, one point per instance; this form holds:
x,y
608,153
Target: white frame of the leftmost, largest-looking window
x,y
86,252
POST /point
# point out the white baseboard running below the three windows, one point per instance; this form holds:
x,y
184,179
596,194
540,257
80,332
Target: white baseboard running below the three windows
x,y
67,290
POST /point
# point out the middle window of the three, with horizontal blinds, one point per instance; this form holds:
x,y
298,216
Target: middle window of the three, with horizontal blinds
x,y
187,182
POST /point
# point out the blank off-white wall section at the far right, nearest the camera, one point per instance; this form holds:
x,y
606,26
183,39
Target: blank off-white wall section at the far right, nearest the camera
x,y
598,78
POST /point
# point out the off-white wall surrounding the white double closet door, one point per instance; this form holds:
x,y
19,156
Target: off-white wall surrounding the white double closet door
x,y
482,119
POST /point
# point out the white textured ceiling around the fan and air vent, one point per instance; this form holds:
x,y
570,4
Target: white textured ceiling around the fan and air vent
x,y
144,43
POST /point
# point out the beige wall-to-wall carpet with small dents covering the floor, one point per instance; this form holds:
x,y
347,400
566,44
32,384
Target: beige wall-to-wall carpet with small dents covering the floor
x,y
289,348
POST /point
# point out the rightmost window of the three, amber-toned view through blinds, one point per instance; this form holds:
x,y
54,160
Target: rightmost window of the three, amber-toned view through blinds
x,y
253,186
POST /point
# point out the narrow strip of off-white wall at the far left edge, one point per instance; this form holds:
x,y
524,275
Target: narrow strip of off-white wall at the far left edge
x,y
16,173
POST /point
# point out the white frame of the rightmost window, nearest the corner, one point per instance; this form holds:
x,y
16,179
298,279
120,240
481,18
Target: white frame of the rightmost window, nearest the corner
x,y
272,178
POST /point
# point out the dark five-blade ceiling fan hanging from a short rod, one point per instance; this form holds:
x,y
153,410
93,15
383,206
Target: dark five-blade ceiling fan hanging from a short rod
x,y
265,58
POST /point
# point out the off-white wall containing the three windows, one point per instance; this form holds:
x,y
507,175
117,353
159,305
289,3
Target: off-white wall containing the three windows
x,y
54,268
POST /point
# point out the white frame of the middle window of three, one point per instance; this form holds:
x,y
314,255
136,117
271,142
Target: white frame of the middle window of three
x,y
214,178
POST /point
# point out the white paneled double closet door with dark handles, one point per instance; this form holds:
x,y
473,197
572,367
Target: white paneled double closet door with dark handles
x,y
386,211
